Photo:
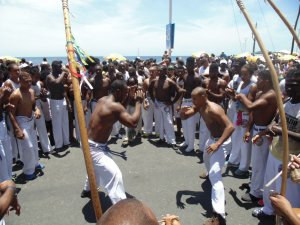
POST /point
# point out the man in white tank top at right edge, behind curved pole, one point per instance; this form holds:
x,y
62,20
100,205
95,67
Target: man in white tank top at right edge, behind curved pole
x,y
274,161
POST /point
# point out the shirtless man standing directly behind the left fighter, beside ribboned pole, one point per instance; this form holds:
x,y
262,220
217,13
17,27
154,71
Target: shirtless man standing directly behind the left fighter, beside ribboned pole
x,y
100,84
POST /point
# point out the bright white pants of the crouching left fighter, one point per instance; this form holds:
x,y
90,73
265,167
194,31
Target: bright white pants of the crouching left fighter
x,y
108,174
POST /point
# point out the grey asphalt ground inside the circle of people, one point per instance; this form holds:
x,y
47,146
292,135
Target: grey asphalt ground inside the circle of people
x,y
166,180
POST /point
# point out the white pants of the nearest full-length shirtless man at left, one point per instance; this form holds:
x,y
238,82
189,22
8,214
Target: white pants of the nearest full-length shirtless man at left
x,y
29,144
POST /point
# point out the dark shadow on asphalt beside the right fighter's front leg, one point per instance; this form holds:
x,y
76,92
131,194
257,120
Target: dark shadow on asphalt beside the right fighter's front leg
x,y
197,197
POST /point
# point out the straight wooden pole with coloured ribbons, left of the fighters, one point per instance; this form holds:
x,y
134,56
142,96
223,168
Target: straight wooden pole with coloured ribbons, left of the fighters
x,y
80,114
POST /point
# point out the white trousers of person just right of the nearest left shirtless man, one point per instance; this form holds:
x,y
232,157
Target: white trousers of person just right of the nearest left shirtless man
x,y
42,130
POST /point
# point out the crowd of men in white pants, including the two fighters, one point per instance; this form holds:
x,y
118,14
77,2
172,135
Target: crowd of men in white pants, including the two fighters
x,y
230,103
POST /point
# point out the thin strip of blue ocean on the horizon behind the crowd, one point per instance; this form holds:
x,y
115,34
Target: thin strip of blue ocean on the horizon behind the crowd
x,y
38,60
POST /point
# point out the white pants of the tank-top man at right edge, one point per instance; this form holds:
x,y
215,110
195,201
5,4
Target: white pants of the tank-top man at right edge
x,y
292,189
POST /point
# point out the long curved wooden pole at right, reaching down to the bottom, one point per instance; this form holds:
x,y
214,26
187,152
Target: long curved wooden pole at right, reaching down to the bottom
x,y
274,76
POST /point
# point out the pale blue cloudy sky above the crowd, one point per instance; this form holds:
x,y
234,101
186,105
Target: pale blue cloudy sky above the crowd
x,y
36,28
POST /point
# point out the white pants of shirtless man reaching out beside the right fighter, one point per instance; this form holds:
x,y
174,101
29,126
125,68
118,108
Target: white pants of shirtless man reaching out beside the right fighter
x,y
258,160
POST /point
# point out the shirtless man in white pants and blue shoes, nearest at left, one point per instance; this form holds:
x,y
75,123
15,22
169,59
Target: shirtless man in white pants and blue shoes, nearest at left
x,y
21,116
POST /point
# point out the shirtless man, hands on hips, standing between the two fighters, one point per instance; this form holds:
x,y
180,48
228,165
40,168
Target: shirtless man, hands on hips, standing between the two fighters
x,y
161,90
